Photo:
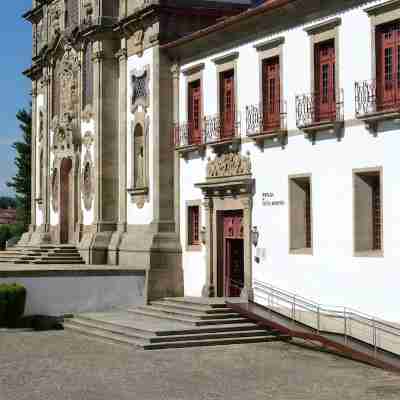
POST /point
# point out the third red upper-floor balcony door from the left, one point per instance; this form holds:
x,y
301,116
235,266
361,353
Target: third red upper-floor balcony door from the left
x,y
271,94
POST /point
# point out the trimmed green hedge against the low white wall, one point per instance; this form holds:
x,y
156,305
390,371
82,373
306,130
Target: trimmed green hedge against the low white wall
x,y
12,304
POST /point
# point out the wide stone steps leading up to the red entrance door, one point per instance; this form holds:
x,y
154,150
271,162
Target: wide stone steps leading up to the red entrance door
x,y
172,323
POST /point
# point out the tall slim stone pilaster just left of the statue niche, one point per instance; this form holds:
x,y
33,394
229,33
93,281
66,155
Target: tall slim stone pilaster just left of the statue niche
x,y
122,135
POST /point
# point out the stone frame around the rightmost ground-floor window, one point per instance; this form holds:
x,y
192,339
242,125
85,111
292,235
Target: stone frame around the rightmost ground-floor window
x,y
368,253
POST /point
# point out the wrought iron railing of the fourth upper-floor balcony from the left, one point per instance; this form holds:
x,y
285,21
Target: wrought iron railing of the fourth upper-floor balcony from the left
x,y
315,108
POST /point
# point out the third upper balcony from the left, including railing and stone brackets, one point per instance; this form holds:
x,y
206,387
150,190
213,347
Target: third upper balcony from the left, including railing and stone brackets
x,y
265,122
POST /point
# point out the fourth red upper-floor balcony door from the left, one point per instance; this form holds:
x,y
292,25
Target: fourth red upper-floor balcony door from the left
x,y
325,99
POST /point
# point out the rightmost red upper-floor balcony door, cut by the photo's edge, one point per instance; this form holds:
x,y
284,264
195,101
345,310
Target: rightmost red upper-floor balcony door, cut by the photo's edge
x,y
388,66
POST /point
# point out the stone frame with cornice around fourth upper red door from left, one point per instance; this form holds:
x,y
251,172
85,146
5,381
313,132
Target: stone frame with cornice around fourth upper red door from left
x,y
320,33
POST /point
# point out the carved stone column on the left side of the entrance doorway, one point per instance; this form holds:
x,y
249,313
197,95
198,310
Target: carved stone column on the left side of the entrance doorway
x,y
208,289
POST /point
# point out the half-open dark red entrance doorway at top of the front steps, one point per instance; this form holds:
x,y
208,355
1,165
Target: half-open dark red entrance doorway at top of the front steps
x,y
230,254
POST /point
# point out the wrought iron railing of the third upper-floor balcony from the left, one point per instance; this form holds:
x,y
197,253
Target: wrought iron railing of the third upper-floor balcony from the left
x,y
264,119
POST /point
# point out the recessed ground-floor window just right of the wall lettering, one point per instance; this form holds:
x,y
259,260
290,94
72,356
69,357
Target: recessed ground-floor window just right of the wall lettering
x,y
300,214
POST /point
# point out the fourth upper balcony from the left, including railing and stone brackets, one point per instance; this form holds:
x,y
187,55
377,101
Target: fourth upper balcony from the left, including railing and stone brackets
x,y
317,112
